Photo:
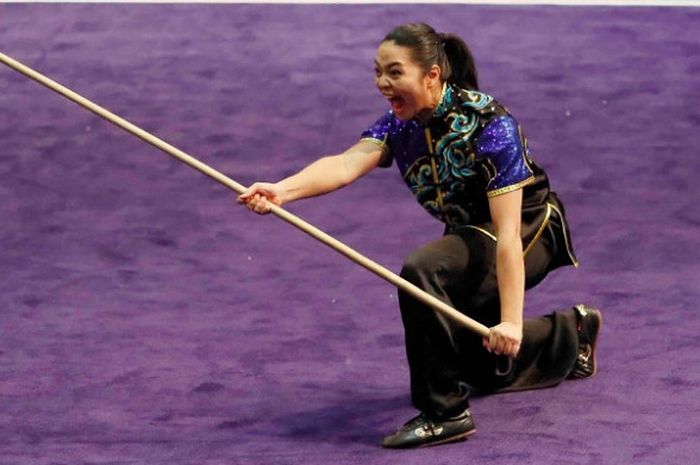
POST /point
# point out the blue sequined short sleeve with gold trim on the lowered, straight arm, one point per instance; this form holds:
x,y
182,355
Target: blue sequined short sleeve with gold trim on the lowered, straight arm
x,y
501,147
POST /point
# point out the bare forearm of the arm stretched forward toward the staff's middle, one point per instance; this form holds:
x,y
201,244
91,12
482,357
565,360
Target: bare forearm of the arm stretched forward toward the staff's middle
x,y
322,176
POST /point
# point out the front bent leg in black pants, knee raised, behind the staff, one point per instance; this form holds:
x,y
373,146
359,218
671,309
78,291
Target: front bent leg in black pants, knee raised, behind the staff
x,y
449,268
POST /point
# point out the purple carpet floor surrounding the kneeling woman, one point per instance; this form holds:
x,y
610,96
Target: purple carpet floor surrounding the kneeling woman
x,y
145,318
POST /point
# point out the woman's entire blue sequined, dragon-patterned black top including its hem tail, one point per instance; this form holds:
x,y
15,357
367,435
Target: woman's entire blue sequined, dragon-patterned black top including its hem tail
x,y
471,149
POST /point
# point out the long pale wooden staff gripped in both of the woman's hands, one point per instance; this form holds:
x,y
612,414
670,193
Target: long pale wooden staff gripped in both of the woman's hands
x,y
314,232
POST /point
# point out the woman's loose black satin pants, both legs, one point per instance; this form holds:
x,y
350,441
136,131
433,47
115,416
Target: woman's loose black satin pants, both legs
x,y
448,361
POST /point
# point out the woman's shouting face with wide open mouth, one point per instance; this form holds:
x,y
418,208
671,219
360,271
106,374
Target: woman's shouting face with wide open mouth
x,y
410,91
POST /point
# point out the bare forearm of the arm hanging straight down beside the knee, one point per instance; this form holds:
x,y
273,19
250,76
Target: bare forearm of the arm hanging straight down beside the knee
x,y
510,270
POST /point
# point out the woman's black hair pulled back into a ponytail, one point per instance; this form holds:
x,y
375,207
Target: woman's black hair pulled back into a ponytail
x,y
446,50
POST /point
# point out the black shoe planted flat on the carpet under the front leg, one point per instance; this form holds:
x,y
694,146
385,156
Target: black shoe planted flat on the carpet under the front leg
x,y
423,431
